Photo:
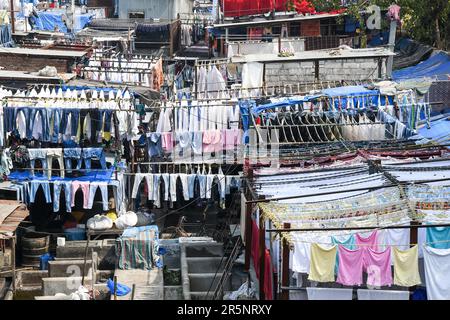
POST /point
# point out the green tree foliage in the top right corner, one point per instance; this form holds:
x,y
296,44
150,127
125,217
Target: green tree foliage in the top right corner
x,y
427,21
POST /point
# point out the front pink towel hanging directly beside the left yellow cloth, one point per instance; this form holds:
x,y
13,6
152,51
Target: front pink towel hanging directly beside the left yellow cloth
x,y
351,263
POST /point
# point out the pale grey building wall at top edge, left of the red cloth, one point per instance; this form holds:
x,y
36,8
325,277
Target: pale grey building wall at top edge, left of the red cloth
x,y
163,9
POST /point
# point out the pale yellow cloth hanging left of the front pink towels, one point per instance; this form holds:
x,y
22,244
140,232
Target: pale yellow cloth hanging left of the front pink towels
x,y
322,263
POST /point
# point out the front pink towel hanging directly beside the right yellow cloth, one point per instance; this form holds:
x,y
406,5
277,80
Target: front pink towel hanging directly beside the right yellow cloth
x,y
378,267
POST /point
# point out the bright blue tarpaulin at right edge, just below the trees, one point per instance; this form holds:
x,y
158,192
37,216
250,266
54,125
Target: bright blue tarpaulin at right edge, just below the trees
x,y
436,67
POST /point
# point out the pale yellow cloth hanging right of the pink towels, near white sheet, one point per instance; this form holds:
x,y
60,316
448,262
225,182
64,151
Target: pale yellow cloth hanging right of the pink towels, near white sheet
x,y
406,267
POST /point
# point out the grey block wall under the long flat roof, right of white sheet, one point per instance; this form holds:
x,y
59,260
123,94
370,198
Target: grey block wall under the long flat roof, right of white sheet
x,y
278,74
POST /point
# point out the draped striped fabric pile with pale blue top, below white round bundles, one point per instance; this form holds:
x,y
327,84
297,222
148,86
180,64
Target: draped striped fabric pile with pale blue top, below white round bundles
x,y
138,248
